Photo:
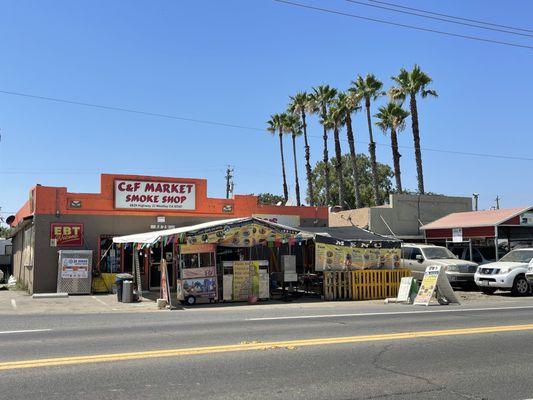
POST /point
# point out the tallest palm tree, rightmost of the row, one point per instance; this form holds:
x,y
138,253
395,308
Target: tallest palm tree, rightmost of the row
x,y
410,84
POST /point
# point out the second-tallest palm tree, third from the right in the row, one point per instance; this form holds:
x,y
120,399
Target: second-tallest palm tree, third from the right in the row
x,y
369,89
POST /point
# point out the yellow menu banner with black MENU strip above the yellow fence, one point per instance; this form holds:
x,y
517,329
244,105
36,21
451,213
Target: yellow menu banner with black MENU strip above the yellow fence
x,y
344,255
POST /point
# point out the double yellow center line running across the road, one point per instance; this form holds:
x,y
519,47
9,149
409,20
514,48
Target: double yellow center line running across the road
x,y
59,361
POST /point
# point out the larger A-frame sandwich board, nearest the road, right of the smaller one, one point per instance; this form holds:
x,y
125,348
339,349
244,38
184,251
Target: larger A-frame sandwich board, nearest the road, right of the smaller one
x,y
435,284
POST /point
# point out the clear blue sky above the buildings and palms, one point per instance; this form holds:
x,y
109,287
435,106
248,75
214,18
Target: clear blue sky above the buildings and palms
x,y
237,62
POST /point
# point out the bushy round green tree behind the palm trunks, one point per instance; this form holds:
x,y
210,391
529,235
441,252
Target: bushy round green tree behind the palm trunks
x,y
364,171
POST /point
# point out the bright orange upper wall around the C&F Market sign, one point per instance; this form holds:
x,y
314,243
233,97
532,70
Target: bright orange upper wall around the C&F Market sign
x,y
53,200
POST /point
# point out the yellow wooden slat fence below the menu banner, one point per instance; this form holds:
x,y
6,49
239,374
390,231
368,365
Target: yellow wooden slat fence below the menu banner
x,y
363,285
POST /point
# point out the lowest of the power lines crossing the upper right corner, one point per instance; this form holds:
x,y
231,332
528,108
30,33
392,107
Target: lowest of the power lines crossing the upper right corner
x,y
413,27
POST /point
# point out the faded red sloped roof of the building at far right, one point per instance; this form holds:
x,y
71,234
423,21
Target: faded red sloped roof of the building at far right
x,y
473,219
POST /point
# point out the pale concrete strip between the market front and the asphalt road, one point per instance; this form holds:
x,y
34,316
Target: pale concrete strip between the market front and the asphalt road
x,y
20,303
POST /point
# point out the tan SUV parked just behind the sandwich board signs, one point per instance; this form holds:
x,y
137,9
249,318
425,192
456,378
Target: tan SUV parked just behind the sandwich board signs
x,y
417,257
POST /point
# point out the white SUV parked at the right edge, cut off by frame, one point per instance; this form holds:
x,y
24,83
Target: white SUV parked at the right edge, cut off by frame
x,y
509,273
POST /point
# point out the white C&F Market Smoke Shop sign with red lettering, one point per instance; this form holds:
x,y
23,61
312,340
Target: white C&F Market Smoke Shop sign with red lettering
x,y
155,195
